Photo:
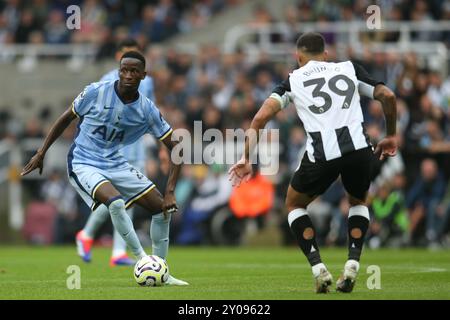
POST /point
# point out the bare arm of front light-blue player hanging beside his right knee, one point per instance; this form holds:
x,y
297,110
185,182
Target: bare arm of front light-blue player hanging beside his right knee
x,y
169,202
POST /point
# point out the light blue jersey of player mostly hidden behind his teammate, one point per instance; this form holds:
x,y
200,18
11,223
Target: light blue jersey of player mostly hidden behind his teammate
x,y
135,152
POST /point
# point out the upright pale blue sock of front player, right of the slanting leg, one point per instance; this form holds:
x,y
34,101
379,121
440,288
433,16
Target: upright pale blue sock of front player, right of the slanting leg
x,y
159,232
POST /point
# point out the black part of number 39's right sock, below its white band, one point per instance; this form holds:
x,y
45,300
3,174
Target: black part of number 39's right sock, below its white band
x,y
357,228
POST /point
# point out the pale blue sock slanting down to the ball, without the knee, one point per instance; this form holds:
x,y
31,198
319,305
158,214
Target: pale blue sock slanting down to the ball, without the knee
x,y
123,224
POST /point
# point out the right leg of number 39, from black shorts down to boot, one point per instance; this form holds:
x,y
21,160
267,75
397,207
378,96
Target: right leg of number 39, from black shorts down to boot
x,y
356,176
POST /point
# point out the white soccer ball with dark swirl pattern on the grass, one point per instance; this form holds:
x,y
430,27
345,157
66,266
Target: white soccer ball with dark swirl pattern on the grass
x,y
151,271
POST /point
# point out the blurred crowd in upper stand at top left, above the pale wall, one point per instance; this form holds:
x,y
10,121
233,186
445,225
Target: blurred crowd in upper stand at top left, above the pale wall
x,y
103,22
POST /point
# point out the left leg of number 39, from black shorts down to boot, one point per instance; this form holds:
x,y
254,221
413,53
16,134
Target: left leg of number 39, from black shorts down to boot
x,y
309,181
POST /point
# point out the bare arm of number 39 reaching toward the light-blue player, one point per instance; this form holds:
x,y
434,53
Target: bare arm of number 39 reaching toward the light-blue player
x,y
242,170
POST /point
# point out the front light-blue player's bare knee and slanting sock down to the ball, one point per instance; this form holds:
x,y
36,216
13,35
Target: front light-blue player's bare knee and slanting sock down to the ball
x,y
108,195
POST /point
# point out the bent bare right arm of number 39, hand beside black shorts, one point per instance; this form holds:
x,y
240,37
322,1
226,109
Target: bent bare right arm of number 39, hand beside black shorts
x,y
388,145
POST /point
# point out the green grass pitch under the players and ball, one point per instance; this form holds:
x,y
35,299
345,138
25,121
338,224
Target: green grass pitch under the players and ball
x,y
222,274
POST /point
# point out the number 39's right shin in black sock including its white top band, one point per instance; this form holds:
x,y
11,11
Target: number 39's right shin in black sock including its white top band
x,y
358,223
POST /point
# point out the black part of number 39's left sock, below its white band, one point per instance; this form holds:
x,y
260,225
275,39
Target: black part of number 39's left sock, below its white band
x,y
308,245
